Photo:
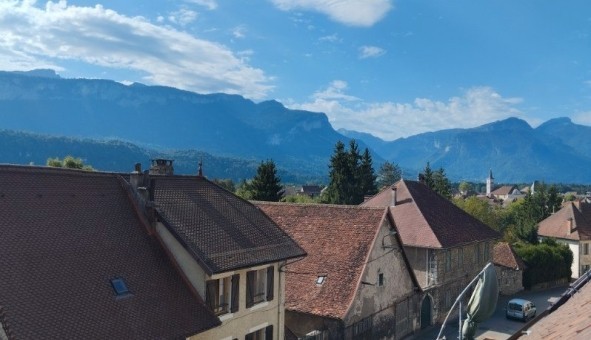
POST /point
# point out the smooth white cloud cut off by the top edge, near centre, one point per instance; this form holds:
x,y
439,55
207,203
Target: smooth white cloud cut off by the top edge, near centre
x,y
350,12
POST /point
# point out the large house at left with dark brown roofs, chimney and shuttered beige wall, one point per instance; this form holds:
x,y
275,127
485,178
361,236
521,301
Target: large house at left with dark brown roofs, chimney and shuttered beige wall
x,y
136,256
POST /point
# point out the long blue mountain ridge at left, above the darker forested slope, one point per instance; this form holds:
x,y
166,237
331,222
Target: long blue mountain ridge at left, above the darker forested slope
x,y
166,118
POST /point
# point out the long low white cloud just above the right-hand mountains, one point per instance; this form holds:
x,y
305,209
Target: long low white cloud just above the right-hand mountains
x,y
389,120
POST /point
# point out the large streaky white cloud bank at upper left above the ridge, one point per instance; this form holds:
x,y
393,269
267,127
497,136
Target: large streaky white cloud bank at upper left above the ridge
x,y
53,36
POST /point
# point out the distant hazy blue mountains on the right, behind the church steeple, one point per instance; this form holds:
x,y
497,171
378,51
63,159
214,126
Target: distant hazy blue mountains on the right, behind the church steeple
x,y
554,152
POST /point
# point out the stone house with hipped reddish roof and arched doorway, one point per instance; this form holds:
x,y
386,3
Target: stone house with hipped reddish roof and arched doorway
x,y
446,247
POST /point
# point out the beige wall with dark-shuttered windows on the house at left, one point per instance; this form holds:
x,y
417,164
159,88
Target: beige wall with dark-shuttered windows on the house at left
x,y
245,320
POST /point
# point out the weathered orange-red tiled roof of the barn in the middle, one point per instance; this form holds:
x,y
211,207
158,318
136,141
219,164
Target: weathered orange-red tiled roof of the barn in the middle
x,y
337,240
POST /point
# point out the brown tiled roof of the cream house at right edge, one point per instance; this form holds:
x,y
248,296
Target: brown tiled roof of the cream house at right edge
x,y
557,224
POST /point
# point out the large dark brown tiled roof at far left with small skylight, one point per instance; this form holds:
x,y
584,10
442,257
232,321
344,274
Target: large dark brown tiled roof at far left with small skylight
x,y
64,234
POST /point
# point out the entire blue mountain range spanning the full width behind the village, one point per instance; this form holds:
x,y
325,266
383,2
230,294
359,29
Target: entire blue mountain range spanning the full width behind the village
x,y
112,126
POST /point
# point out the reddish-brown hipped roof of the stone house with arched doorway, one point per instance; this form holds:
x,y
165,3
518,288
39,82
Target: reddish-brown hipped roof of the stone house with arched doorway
x,y
427,220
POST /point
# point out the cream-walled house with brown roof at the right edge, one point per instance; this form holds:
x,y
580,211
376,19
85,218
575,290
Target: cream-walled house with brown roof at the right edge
x,y
571,225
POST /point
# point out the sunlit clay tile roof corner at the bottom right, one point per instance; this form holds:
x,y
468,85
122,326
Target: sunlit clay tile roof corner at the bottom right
x,y
572,320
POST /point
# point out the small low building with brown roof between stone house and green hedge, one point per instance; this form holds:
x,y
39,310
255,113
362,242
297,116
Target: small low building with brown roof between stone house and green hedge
x,y
509,267
